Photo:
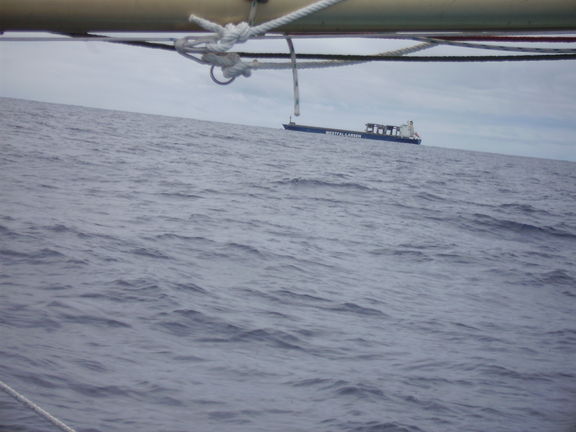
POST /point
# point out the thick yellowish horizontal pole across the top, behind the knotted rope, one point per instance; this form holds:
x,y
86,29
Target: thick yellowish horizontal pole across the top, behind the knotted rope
x,y
346,17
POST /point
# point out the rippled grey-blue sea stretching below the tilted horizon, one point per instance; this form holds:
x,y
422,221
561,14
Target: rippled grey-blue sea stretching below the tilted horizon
x,y
167,274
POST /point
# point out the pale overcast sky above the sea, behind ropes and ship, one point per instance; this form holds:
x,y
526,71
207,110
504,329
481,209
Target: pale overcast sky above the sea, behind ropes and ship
x,y
515,108
